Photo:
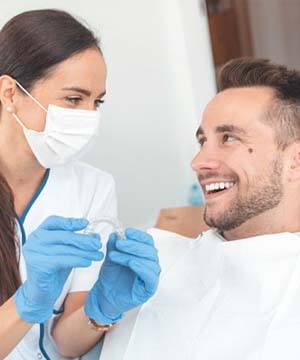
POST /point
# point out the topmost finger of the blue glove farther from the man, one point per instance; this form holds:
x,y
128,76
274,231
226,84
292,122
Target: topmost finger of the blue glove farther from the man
x,y
62,223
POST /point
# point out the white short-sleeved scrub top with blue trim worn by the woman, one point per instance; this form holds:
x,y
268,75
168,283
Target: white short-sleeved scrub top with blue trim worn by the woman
x,y
76,190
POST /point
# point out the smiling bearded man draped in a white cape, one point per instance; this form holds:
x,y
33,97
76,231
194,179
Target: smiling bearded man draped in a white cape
x,y
233,293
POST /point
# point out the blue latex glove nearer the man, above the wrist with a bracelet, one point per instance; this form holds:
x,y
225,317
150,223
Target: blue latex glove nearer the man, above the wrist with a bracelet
x,y
128,277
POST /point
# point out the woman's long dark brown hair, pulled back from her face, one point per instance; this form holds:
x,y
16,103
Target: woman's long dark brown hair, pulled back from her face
x,y
31,45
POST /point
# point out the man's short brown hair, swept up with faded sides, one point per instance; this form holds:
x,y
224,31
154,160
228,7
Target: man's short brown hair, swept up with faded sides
x,y
284,113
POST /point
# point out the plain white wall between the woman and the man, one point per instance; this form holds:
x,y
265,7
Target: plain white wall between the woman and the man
x,y
160,77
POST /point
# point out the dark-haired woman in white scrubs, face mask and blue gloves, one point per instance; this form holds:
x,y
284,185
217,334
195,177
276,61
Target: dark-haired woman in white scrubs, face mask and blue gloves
x,y
52,81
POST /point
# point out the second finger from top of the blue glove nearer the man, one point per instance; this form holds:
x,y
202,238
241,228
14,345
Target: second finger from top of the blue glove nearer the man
x,y
138,249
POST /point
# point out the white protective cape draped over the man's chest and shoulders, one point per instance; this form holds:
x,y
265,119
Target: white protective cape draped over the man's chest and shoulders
x,y
217,300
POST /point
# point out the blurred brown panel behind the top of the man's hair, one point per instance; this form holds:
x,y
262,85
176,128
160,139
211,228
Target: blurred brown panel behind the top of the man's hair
x,y
259,28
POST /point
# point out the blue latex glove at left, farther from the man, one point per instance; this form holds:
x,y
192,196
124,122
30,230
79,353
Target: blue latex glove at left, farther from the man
x,y
50,253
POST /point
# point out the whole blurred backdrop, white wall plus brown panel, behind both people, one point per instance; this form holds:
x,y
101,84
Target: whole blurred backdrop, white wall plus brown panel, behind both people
x,y
162,56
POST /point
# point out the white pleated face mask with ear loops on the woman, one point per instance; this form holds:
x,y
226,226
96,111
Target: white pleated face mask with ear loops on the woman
x,y
68,134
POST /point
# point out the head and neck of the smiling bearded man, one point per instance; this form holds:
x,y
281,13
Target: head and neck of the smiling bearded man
x,y
248,163
